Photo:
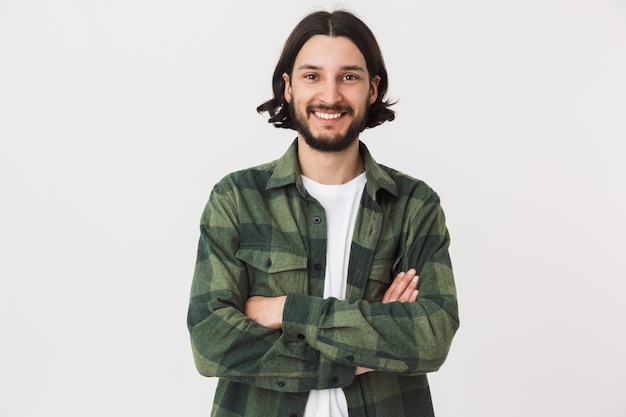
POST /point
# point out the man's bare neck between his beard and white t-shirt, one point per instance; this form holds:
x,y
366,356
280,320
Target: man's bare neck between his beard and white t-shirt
x,y
331,168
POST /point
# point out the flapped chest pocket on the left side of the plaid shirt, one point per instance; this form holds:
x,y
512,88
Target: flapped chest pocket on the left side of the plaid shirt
x,y
274,271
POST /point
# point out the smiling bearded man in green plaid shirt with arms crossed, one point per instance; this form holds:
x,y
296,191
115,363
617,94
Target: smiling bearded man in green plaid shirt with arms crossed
x,y
305,297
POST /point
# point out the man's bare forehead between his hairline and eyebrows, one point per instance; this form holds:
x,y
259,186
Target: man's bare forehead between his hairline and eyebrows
x,y
329,52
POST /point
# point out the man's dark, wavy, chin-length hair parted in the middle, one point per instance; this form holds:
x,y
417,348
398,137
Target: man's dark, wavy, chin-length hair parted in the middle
x,y
336,23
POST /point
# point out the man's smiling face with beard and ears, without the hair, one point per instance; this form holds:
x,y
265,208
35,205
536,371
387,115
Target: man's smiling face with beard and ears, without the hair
x,y
330,92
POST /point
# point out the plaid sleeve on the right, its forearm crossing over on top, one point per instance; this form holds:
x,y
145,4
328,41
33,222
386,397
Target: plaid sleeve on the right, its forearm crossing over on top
x,y
405,338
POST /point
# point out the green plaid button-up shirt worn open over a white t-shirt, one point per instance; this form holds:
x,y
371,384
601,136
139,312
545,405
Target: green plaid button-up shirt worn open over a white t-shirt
x,y
262,234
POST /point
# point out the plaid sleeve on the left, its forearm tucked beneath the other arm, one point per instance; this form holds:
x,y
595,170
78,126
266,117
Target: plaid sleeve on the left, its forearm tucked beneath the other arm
x,y
225,343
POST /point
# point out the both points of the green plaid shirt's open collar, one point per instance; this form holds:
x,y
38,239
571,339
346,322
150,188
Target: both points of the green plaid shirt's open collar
x,y
287,171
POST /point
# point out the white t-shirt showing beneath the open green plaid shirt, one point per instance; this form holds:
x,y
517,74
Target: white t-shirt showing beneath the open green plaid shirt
x,y
341,204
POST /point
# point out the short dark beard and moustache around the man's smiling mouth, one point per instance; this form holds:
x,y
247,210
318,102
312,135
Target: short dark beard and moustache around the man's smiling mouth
x,y
326,143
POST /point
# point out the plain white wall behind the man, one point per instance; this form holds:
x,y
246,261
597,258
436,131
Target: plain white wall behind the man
x,y
117,117
